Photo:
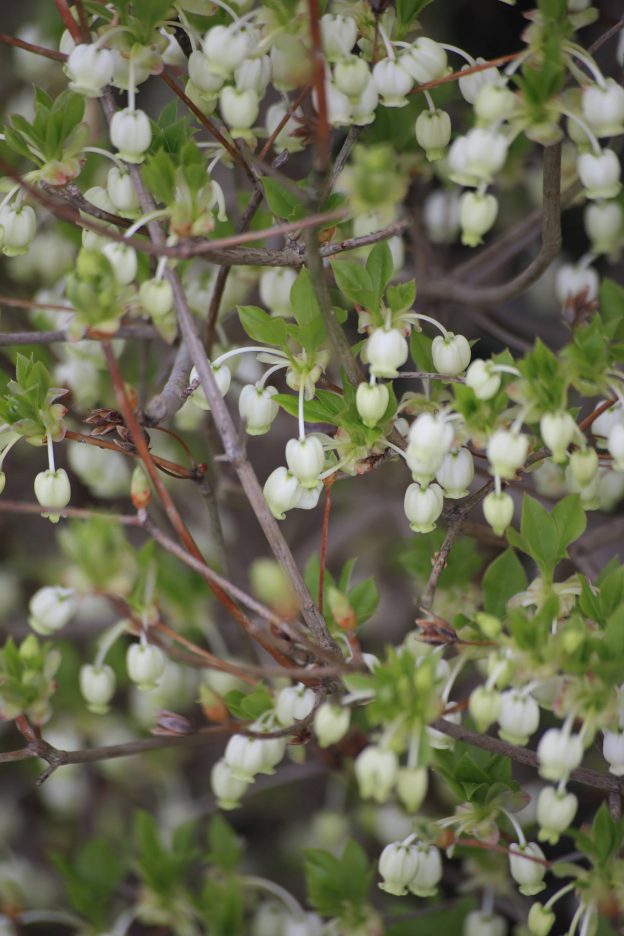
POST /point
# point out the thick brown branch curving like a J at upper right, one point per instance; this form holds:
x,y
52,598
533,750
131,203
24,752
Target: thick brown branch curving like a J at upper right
x,y
459,291
